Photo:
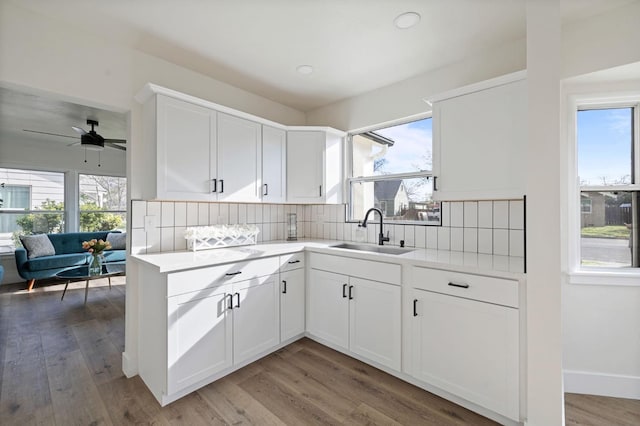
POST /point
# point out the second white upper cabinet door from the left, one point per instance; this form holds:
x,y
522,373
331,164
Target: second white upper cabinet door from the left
x,y
239,159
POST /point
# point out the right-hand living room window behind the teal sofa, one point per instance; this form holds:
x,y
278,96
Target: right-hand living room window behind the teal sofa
x,y
103,202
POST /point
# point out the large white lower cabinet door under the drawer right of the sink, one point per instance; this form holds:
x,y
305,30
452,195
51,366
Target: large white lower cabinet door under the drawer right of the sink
x,y
468,348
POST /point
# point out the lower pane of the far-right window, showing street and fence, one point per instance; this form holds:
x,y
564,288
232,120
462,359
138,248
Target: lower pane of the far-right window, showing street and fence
x,y
607,228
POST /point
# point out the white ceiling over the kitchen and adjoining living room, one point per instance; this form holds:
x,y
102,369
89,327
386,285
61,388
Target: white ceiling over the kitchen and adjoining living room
x,y
257,45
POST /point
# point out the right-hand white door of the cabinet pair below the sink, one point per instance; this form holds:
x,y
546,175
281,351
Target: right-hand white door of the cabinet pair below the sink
x,y
374,321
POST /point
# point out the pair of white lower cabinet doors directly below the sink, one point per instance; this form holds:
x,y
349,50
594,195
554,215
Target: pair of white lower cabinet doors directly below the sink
x,y
360,315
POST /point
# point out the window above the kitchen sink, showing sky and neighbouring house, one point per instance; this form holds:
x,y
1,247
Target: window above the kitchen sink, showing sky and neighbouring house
x,y
391,169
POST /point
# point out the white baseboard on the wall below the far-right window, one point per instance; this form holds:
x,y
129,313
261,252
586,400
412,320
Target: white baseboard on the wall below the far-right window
x,y
615,385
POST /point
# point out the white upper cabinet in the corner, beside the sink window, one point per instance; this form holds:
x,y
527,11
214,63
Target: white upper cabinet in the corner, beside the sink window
x,y
314,166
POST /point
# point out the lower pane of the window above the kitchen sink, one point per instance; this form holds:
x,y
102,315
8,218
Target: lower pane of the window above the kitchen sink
x,y
399,200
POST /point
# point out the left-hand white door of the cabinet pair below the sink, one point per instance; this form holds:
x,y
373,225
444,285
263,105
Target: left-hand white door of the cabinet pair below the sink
x,y
328,307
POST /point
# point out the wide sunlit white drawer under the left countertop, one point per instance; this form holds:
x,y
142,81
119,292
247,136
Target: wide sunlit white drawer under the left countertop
x,y
214,276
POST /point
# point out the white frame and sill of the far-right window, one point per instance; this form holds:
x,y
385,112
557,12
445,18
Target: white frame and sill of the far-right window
x,y
576,272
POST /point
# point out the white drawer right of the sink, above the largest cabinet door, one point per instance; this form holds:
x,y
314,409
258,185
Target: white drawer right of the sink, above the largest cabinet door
x,y
477,287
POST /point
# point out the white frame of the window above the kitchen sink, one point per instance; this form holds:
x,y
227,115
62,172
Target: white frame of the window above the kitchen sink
x,y
350,179
